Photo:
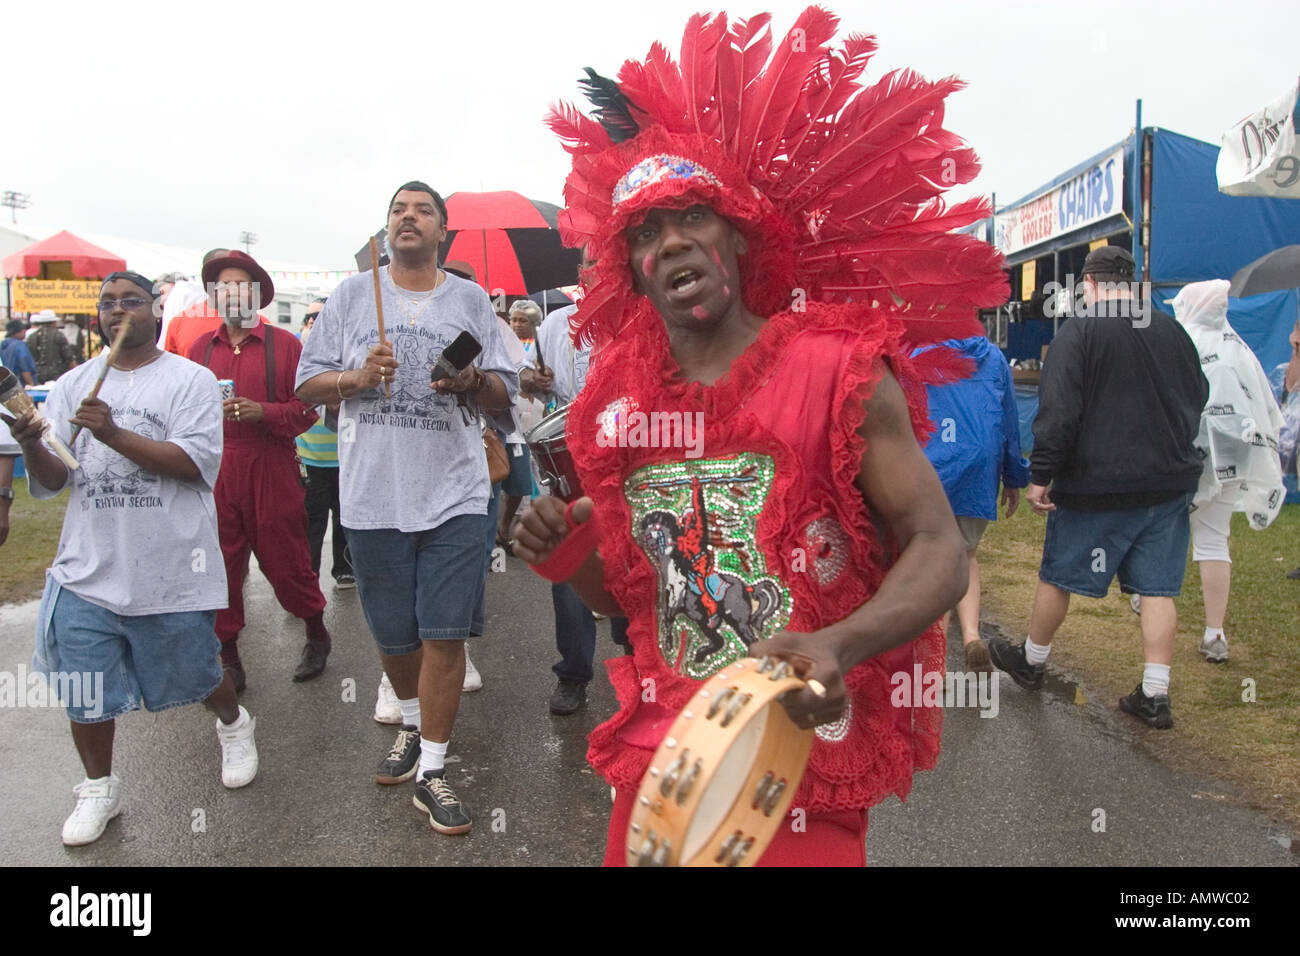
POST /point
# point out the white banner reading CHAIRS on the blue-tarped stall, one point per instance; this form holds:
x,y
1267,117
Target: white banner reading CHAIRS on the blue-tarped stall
x,y
1093,196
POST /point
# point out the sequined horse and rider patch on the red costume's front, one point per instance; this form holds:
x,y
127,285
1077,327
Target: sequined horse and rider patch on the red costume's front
x,y
697,522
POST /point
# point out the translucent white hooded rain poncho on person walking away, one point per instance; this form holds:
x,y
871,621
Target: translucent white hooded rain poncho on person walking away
x,y
1241,423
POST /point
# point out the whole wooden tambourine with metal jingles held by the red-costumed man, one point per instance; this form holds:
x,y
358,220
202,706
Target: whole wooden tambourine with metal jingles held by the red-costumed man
x,y
718,788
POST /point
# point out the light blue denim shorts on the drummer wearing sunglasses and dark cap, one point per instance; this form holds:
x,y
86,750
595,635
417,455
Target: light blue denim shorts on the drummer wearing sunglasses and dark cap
x,y
106,664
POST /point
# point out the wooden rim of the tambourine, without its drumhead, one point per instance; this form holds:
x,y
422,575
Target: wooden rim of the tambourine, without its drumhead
x,y
783,750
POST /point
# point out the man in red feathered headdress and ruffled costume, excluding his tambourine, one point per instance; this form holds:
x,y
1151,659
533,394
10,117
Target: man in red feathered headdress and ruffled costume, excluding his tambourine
x,y
769,244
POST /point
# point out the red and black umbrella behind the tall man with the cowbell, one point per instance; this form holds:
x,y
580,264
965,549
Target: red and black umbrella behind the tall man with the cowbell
x,y
512,243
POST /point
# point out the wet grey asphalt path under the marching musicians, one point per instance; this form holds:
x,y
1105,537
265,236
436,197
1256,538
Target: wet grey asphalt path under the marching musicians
x,y
1025,788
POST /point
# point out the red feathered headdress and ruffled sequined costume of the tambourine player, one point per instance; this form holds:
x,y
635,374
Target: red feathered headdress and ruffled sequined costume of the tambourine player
x,y
853,258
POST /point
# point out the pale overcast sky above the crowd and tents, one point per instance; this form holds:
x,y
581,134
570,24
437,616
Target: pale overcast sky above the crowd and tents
x,y
187,124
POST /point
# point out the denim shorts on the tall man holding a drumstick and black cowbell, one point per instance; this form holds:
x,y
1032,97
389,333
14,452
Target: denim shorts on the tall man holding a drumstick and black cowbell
x,y
422,586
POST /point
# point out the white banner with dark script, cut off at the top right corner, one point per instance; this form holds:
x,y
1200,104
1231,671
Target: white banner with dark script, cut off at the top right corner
x,y
1259,157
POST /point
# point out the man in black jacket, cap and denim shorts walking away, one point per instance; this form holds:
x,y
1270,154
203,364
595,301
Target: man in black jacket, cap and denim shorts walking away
x,y
1119,410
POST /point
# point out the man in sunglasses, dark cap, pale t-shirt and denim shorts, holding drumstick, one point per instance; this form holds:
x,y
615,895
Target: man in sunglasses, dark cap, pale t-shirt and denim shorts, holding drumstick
x,y
127,617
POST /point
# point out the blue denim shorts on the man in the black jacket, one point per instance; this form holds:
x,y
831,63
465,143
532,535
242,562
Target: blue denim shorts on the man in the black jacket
x,y
1146,547
